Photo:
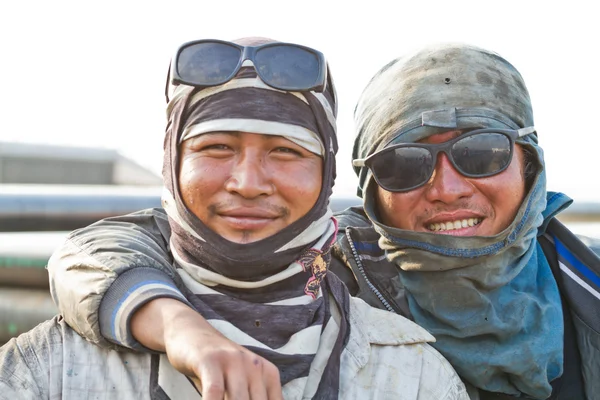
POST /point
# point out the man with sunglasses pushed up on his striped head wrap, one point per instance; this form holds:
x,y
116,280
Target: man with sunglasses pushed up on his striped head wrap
x,y
249,166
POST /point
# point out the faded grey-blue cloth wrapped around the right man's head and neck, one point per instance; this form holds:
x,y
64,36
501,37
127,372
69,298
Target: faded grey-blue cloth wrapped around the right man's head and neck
x,y
491,302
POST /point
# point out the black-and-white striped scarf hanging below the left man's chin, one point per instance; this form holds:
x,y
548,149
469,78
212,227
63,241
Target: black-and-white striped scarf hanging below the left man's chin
x,y
257,314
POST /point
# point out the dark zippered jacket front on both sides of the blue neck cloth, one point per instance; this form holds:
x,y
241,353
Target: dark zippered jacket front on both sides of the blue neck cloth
x,y
574,262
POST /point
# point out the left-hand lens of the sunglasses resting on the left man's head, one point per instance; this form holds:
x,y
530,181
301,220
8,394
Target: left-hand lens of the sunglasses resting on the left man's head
x,y
207,63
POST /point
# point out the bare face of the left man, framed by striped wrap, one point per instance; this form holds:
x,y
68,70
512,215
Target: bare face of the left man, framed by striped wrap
x,y
245,186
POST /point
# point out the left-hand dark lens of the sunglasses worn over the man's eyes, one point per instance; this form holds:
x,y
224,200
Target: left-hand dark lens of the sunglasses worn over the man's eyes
x,y
402,168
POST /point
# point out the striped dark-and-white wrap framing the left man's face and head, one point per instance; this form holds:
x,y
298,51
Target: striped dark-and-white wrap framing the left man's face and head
x,y
247,104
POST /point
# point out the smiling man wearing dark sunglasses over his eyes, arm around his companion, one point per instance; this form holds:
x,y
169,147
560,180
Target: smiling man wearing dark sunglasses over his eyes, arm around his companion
x,y
457,232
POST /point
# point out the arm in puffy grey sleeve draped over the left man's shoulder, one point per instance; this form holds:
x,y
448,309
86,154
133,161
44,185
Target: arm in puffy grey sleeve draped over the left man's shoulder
x,y
115,280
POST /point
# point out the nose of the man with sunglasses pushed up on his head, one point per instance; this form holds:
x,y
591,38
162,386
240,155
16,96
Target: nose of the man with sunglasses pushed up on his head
x,y
249,177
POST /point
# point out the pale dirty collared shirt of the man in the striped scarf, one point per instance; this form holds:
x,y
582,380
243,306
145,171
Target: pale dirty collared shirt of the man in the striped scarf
x,y
387,357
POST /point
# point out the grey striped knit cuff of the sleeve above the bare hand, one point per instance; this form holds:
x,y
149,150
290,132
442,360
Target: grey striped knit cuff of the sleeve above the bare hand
x,y
130,291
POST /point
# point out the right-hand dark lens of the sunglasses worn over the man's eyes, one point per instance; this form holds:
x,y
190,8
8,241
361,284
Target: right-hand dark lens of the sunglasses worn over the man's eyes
x,y
482,154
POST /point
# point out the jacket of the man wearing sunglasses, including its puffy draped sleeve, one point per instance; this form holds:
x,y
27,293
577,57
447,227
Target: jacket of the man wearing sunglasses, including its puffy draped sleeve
x,y
140,240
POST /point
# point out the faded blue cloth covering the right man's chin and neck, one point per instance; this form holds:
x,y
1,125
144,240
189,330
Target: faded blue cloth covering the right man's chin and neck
x,y
491,302
